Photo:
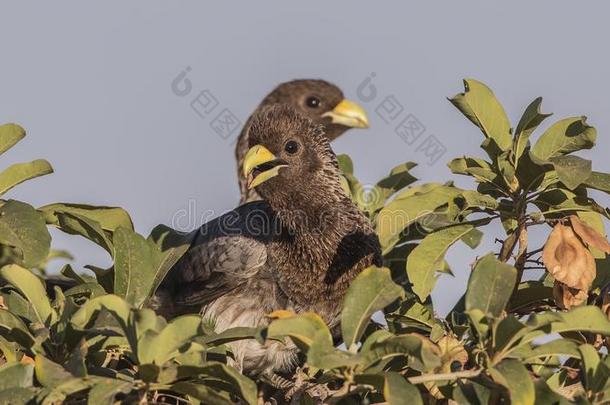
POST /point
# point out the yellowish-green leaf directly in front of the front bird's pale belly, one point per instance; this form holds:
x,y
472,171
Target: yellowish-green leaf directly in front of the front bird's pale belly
x,y
303,329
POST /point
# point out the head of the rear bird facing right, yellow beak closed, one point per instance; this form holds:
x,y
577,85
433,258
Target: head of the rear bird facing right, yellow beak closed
x,y
322,102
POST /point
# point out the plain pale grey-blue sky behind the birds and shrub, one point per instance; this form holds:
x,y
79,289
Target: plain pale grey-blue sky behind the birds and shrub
x,y
92,84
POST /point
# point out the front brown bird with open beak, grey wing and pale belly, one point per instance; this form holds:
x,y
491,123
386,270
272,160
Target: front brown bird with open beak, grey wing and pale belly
x,y
296,249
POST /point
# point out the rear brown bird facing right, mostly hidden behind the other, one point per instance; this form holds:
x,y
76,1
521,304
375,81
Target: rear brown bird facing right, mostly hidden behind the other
x,y
321,101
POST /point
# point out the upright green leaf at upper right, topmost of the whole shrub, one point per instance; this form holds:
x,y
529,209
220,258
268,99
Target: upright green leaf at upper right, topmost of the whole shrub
x,y
481,107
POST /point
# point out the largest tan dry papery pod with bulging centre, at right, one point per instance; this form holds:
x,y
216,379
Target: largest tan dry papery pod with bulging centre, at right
x,y
567,259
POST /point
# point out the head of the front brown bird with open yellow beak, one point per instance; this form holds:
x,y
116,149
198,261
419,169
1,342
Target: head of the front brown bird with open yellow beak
x,y
290,157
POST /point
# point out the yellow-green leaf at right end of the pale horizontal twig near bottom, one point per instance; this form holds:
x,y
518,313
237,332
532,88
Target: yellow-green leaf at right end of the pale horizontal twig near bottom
x,y
514,376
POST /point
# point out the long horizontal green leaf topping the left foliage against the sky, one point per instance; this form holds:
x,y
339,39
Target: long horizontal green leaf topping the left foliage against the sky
x,y
108,218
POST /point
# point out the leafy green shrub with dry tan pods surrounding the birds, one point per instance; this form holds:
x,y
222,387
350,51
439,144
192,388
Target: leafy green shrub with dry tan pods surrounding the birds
x,y
530,328
